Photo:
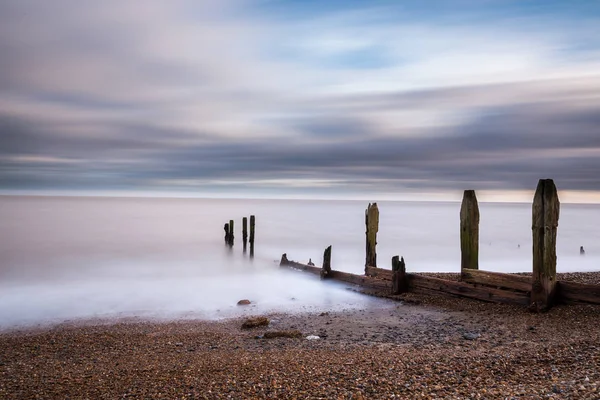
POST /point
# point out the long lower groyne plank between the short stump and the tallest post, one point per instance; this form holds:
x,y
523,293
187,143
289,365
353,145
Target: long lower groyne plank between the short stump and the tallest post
x,y
465,289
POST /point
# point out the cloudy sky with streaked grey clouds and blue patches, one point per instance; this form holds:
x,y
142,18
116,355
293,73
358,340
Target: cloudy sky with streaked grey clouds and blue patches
x,y
302,99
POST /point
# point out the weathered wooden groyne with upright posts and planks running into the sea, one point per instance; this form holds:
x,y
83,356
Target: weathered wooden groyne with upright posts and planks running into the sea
x,y
539,292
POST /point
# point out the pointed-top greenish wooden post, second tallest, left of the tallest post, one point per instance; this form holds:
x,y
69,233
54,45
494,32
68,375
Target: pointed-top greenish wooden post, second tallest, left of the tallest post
x,y
469,231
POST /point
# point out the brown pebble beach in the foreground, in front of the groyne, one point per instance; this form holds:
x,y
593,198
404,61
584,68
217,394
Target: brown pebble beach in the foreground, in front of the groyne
x,y
422,347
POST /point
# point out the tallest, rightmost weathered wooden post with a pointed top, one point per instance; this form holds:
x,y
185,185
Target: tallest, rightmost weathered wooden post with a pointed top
x,y
545,210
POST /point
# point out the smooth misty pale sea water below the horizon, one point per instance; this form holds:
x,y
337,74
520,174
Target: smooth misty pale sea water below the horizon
x,y
81,257
